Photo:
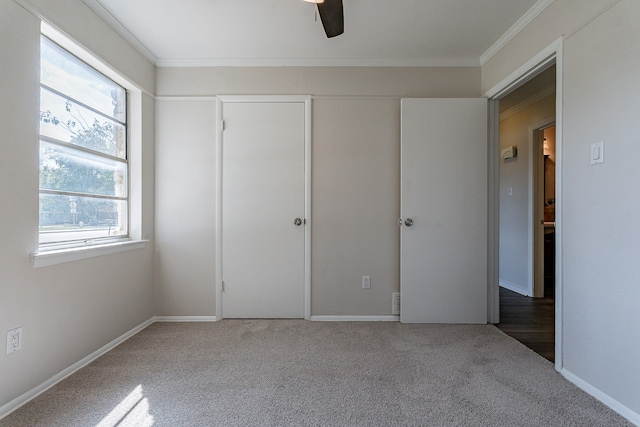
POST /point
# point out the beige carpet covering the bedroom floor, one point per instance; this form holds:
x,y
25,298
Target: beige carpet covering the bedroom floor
x,y
297,373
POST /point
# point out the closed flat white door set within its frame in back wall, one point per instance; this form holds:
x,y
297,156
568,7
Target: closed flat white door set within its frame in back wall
x,y
263,209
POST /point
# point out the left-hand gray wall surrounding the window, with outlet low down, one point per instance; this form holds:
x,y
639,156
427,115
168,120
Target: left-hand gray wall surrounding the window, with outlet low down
x,y
67,311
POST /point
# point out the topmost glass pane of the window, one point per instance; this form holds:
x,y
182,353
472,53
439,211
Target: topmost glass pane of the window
x,y
67,74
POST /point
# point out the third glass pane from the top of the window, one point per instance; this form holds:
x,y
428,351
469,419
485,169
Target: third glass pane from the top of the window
x,y
68,169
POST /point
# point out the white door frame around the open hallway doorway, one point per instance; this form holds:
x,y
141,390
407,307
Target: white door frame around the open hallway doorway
x,y
545,58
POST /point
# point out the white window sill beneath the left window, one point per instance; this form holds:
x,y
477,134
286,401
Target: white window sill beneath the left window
x,y
44,259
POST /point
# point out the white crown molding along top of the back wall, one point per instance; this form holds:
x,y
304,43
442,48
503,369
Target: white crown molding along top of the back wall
x,y
319,62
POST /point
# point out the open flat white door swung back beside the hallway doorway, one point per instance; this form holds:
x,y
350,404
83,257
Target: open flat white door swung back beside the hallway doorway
x,y
444,198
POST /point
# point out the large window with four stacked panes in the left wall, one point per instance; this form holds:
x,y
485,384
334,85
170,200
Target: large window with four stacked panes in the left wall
x,y
84,169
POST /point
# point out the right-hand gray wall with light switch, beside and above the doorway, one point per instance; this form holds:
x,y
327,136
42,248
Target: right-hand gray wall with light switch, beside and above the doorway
x,y
601,207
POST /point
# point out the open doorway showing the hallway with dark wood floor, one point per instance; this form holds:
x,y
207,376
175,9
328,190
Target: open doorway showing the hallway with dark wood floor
x,y
527,213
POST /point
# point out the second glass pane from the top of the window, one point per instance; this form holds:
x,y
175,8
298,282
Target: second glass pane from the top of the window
x,y
63,120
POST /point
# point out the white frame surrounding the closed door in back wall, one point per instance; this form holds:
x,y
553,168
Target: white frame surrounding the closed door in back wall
x,y
270,99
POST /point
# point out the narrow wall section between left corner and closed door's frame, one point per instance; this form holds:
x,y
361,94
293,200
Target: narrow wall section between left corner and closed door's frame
x,y
186,209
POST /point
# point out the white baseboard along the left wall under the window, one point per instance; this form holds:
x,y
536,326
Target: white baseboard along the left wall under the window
x,y
36,391
